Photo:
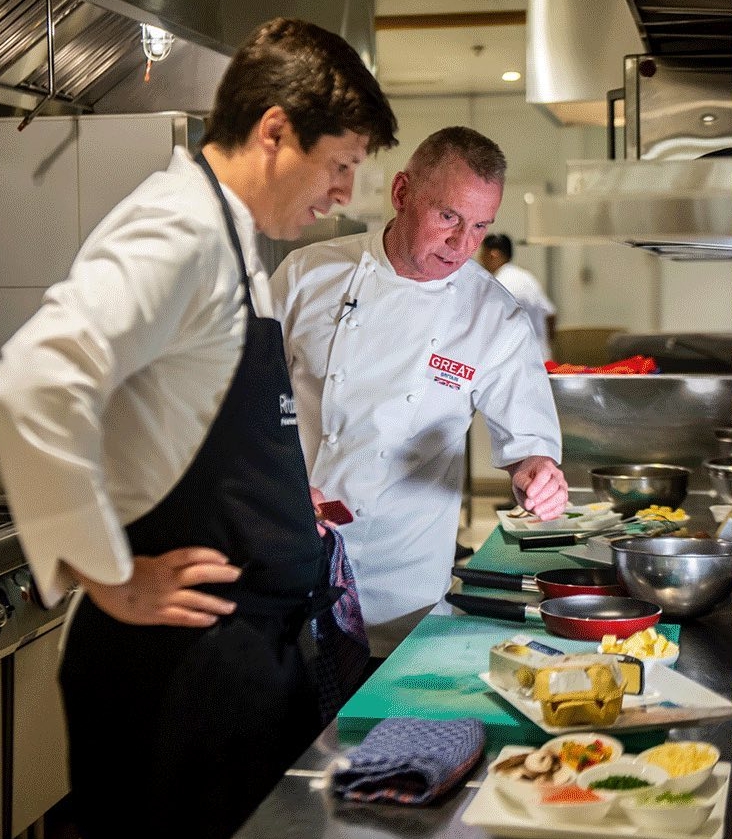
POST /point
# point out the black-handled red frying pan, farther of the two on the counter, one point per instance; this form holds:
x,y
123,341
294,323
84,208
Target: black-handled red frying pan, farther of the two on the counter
x,y
559,582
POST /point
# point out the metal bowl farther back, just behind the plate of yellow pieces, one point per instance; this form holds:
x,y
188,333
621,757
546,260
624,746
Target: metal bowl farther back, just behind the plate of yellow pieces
x,y
633,486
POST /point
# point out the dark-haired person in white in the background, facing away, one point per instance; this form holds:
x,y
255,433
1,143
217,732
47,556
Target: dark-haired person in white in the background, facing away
x,y
496,253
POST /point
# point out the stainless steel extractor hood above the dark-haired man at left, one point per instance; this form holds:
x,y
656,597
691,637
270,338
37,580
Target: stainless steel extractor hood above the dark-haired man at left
x,y
97,63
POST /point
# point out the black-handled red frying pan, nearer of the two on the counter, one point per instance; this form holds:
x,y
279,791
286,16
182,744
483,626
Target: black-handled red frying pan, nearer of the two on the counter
x,y
584,617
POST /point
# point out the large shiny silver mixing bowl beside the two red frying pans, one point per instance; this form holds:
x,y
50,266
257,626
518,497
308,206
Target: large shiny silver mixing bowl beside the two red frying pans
x,y
685,577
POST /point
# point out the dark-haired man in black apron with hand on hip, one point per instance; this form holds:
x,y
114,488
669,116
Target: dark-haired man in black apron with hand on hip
x,y
150,453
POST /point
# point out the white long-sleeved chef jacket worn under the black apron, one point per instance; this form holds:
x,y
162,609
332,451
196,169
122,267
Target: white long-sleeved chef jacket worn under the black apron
x,y
107,393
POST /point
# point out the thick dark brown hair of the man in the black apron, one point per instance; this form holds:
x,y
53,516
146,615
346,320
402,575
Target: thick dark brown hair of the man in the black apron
x,y
319,81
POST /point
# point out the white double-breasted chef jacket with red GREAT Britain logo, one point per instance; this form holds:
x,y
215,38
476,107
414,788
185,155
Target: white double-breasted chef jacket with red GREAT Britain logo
x,y
387,373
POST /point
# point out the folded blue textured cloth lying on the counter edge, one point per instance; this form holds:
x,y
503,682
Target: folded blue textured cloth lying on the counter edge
x,y
409,760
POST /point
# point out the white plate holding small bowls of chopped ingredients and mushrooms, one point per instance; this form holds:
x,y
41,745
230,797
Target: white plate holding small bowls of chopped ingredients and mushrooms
x,y
490,809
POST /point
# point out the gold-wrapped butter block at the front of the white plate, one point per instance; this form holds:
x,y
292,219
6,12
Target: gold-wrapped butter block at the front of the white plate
x,y
580,690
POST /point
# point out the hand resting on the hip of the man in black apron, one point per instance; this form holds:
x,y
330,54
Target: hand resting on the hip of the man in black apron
x,y
160,590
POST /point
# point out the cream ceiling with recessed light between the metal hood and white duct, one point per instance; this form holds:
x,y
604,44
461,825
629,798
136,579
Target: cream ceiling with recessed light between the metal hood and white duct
x,y
451,59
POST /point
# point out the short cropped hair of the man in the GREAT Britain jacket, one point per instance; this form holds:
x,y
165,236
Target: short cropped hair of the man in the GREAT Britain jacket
x,y
481,154
